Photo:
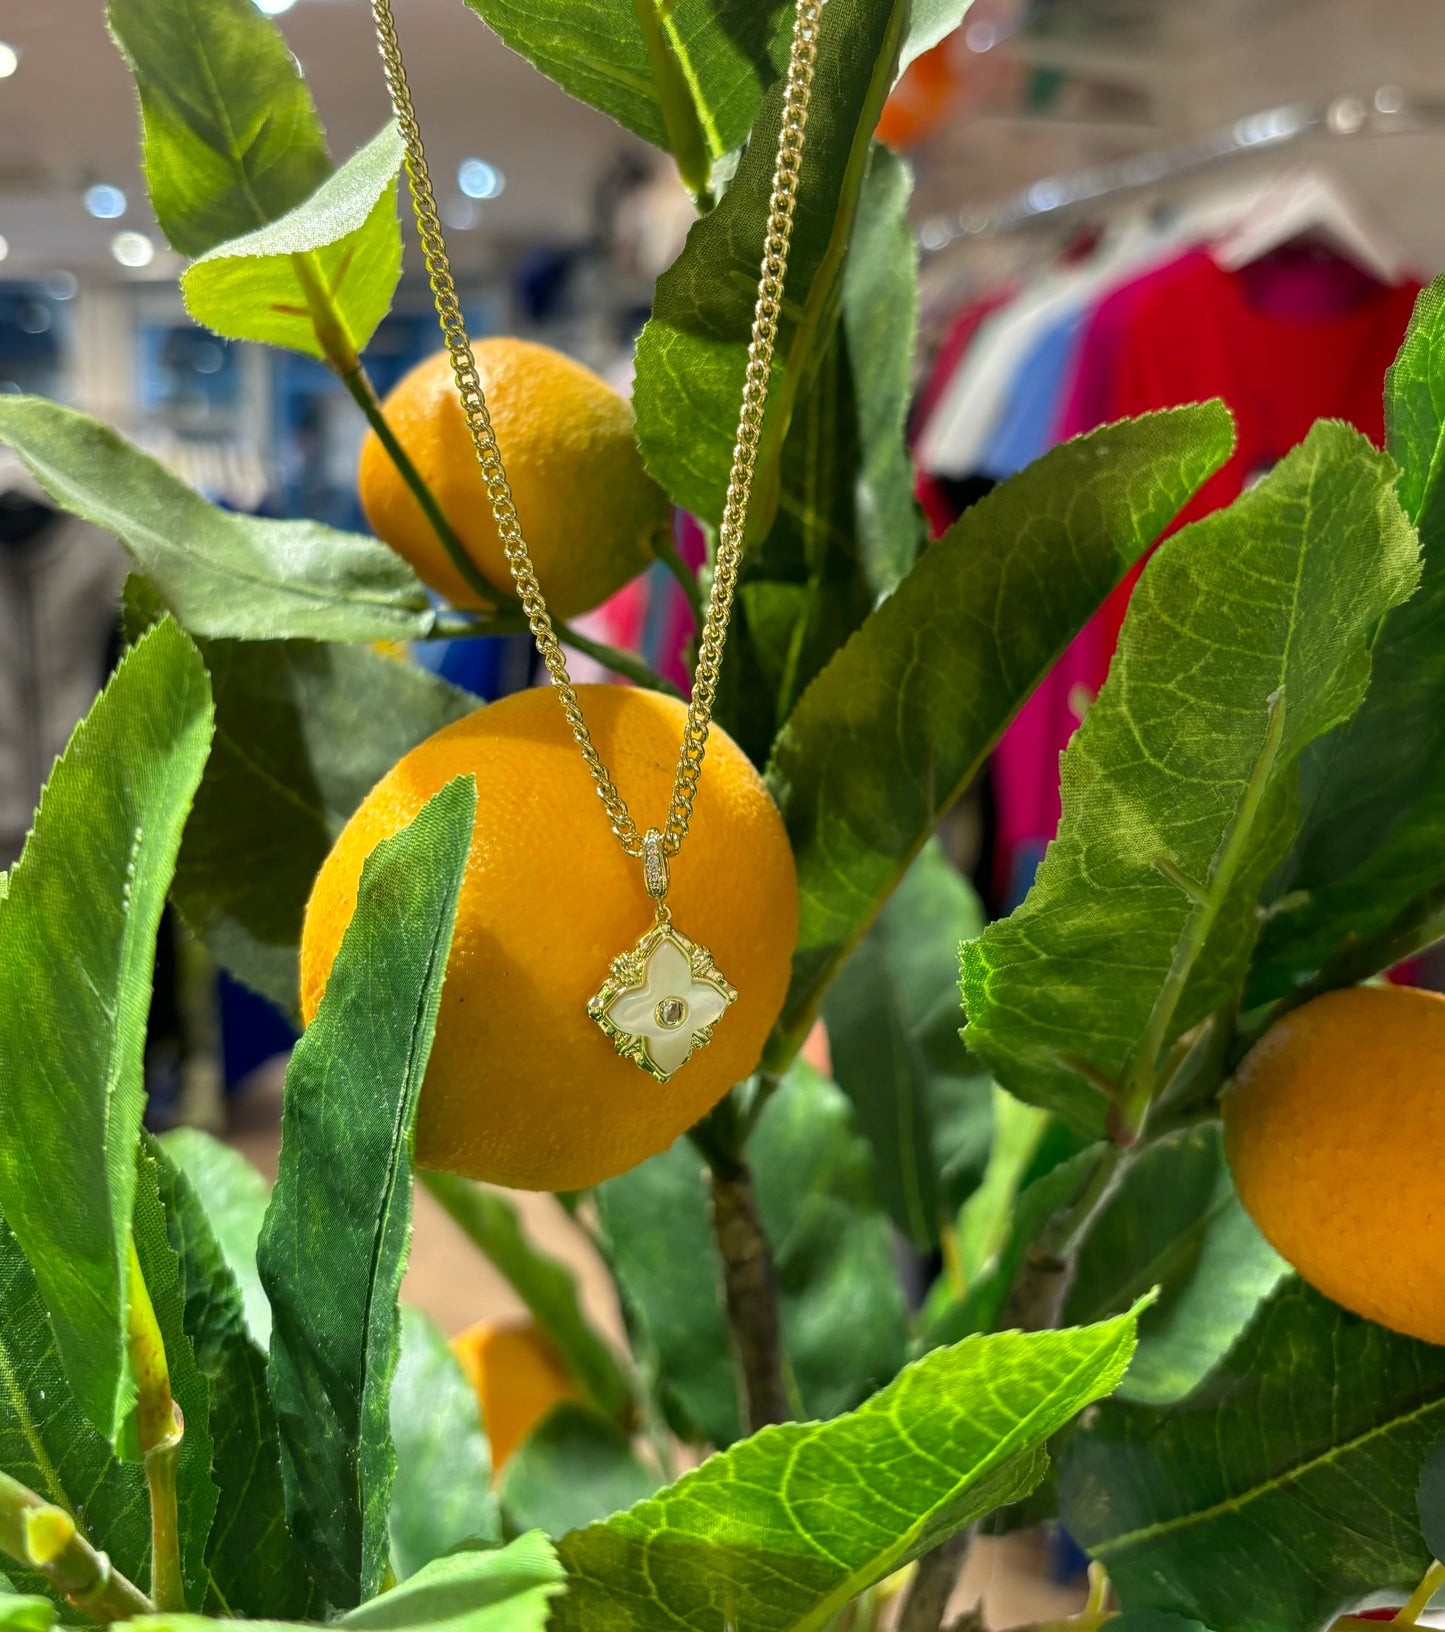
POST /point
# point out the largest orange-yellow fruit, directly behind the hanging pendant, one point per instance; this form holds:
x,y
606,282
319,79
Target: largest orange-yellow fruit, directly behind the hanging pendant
x,y
523,1089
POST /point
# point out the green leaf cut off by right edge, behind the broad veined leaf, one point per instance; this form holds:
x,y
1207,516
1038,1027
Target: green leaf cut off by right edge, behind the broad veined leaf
x,y
1374,835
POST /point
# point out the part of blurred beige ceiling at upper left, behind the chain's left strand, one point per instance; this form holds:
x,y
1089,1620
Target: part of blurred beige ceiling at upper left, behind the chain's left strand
x,y
68,120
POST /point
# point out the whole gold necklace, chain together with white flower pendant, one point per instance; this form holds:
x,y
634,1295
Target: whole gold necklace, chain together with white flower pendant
x,y
664,996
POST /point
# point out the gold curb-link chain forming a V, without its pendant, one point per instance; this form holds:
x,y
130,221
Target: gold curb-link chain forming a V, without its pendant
x,y
767,317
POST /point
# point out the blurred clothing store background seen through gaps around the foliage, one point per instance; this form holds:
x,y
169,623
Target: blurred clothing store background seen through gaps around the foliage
x,y
1108,193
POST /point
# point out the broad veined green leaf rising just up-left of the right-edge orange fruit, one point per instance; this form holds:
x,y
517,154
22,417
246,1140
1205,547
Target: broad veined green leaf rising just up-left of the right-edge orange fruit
x,y
1248,637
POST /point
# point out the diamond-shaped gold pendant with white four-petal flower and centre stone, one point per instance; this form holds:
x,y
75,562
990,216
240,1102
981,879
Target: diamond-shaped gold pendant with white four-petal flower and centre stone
x,y
662,1001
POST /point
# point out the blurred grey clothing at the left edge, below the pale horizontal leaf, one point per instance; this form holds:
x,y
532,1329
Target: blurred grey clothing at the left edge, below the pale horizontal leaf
x,y
60,603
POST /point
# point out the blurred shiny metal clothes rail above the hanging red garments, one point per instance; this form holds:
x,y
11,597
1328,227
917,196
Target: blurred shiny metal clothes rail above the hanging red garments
x,y
1389,112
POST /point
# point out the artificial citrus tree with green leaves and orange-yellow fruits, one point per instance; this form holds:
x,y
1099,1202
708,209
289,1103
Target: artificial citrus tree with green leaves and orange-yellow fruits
x,y
211,1404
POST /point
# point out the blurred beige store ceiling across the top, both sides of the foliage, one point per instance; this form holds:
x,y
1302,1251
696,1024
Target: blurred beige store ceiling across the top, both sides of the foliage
x,y
1176,68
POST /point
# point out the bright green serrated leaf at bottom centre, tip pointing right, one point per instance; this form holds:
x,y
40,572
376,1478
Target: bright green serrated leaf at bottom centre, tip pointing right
x,y
781,1532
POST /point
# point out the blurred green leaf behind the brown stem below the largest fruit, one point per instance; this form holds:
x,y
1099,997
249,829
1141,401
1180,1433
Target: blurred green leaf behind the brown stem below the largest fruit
x,y
832,1254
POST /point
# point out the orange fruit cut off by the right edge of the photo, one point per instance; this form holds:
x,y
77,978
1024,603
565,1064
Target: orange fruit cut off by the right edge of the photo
x,y
1336,1135
